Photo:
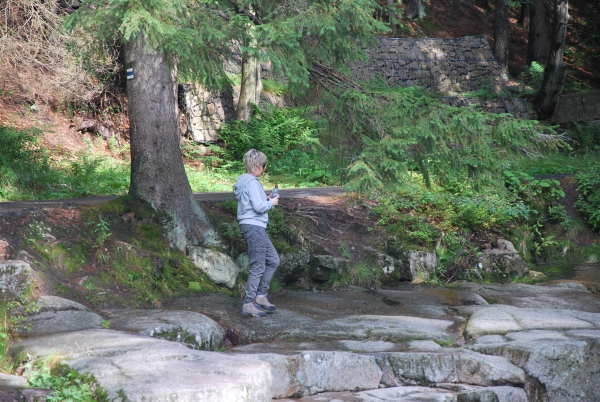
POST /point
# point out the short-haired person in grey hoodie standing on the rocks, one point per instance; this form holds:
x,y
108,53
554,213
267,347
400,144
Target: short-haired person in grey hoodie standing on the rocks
x,y
253,216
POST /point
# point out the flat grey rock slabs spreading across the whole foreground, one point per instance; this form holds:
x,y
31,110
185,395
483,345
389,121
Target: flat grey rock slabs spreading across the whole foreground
x,y
467,342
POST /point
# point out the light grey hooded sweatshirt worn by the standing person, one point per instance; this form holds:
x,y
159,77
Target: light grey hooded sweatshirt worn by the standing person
x,y
253,206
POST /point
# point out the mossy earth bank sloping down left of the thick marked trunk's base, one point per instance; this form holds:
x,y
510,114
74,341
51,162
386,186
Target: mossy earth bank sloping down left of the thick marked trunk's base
x,y
107,256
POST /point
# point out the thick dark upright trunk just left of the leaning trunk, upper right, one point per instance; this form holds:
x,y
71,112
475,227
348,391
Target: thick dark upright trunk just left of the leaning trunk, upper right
x,y
540,31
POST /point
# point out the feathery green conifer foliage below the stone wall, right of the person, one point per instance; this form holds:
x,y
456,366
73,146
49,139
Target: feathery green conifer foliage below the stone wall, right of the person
x,y
406,130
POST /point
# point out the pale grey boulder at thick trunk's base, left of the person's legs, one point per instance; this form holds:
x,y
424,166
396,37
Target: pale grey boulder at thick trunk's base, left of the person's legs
x,y
219,267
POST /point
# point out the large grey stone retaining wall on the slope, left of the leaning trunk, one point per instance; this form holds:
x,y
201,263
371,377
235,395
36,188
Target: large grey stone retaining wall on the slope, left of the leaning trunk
x,y
450,67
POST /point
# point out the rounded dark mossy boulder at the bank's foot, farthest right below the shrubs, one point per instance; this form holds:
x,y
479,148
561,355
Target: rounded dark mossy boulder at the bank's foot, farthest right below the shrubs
x,y
502,260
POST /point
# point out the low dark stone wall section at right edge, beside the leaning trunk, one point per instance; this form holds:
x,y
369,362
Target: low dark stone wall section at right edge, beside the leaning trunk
x,y
581,106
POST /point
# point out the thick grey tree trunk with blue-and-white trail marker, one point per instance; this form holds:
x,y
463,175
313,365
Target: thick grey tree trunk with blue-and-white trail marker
x,y
157,173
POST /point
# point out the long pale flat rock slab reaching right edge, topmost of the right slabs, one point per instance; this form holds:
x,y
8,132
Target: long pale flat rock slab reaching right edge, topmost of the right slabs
x,y
500,319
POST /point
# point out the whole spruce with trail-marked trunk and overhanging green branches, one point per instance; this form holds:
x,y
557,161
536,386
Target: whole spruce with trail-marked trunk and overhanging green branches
x,y
189,40
